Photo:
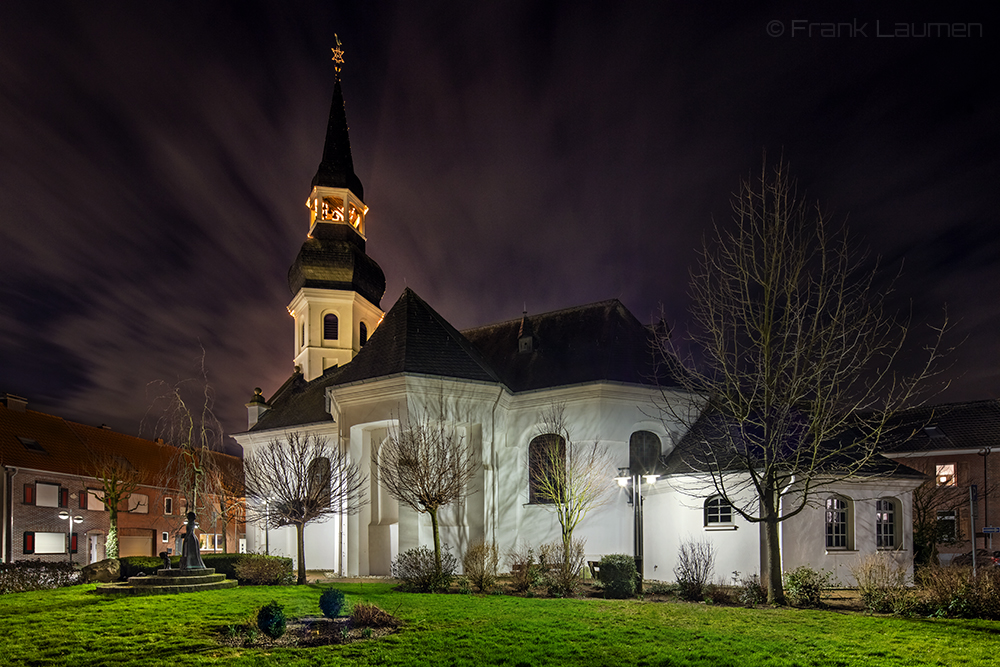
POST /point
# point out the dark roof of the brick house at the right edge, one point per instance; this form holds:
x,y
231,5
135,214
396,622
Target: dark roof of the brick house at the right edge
x,y
974,425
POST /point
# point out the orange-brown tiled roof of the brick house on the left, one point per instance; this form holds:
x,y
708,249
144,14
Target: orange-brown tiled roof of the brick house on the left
x,y
60,446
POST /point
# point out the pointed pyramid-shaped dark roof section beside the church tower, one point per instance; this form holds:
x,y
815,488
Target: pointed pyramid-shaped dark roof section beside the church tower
x,y
414,338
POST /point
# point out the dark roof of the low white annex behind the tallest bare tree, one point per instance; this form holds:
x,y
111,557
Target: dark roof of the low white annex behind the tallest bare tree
x,y
690,454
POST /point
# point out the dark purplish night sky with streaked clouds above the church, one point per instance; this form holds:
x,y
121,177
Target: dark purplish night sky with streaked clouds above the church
x,y
155,159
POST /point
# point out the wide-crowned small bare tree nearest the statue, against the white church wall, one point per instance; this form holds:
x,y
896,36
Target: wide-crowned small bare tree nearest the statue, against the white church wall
x,y
298,480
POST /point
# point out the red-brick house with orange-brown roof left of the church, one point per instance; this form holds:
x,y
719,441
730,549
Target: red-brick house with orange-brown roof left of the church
x,y
48,468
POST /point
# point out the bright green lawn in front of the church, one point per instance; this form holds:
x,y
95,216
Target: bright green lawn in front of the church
x,y
75,627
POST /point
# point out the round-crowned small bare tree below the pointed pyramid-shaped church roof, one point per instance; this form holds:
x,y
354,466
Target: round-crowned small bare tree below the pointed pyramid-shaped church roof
x,y
426,464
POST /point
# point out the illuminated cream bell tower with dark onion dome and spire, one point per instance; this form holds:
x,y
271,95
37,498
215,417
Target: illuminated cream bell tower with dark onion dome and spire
x,y
336,286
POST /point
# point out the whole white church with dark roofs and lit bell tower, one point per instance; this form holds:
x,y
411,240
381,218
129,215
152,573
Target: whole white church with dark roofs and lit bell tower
x,y
359,372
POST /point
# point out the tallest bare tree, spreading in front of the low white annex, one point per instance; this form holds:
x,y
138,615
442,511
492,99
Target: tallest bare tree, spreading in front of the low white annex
x,y
791,341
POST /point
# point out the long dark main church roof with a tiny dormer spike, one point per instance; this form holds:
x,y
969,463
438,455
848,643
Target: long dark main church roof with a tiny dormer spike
x,y
599,341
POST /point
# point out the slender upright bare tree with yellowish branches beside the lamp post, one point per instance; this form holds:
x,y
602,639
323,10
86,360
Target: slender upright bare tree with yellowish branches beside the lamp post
x,y
569,478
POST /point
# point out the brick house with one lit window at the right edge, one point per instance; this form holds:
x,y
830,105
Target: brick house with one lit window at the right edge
x,y
957,446
